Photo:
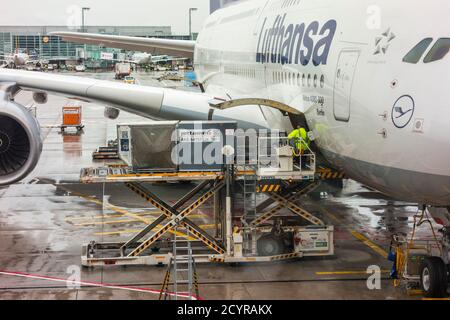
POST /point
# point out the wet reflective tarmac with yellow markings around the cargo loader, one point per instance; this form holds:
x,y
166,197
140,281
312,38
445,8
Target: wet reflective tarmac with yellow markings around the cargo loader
x,y
46,219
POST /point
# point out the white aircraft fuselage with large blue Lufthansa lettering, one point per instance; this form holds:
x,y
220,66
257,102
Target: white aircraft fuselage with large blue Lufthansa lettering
x,y
383,121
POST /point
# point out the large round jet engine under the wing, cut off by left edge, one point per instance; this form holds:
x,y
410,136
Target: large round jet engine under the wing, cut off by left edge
x,y
20,141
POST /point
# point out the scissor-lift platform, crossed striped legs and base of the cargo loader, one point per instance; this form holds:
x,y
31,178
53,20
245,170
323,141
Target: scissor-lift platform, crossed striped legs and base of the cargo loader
x,y
152,245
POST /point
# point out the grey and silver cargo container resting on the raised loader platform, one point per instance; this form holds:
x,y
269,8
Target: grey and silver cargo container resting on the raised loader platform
x,y
169,146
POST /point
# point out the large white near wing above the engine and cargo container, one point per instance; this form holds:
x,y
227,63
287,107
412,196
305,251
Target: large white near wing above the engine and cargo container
x,y
150,102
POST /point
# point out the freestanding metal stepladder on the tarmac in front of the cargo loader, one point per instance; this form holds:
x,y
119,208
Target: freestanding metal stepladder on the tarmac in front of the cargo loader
x,y
184,271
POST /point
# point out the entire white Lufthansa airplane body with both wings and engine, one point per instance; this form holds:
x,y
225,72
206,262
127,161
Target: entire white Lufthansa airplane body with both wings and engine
x,y
373,92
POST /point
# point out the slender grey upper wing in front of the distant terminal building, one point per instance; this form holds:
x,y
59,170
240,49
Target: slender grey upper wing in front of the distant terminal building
x,y
153,46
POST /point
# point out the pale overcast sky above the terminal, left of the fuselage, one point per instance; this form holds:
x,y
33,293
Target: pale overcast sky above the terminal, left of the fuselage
x,y
105,12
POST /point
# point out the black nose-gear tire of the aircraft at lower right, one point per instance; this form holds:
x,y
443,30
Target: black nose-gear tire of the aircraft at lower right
x,y
433,277
